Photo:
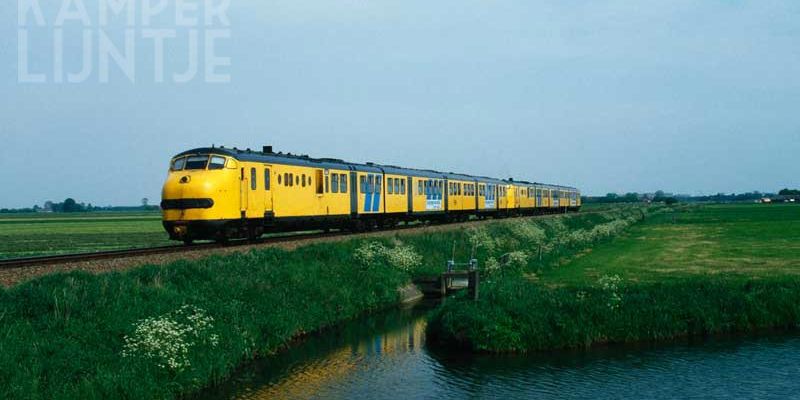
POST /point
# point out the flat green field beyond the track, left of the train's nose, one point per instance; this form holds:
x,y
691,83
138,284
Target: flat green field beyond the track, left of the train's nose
x,y
27,235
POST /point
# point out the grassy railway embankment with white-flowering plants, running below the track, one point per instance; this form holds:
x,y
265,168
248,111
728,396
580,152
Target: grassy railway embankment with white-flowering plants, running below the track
x,y
168,331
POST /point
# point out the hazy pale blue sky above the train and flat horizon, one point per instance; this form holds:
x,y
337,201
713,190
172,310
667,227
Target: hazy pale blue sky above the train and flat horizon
x,y
694,97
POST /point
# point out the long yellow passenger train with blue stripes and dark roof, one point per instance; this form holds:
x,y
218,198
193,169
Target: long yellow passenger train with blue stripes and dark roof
x,y
218,193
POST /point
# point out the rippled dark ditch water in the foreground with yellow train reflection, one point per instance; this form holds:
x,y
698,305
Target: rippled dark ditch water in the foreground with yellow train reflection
x,y
385,357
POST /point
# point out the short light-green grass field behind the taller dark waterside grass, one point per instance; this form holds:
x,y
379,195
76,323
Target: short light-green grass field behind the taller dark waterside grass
x,y
749,240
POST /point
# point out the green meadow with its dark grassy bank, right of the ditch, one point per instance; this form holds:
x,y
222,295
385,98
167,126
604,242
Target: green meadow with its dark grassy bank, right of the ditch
x,y
695,271
